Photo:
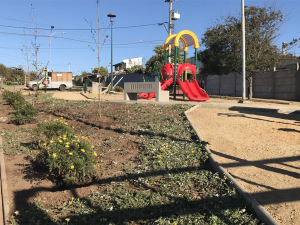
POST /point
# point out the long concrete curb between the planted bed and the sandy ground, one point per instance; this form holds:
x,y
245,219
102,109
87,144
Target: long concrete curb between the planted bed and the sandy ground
x,y
261,213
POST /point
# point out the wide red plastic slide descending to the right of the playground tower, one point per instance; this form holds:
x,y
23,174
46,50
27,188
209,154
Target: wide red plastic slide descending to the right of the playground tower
x,y
192,90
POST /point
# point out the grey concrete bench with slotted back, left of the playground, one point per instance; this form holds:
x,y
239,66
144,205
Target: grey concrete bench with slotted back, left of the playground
x,y
133,89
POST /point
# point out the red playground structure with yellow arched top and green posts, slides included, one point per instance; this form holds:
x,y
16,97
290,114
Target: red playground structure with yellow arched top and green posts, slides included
x,y
189,89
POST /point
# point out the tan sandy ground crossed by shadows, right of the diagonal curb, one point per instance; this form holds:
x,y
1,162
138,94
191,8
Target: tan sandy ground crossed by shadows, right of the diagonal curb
x,y
261,151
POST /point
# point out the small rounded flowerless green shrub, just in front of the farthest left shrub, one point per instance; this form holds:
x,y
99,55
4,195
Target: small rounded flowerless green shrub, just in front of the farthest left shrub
x,y
25,113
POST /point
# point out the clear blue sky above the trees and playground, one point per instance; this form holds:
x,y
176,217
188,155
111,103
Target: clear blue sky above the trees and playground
x,y
134,34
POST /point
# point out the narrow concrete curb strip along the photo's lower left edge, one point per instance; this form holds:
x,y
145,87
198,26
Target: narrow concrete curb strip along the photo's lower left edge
x,y
4,195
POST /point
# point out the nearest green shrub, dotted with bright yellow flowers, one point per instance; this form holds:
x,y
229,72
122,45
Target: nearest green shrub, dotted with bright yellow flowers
x,y
70,157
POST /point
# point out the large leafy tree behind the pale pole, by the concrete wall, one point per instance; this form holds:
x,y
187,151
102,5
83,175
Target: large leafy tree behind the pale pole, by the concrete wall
x,y
223,42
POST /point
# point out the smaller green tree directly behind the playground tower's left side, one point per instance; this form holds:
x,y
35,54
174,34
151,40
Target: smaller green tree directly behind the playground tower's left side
x,y
160,57
